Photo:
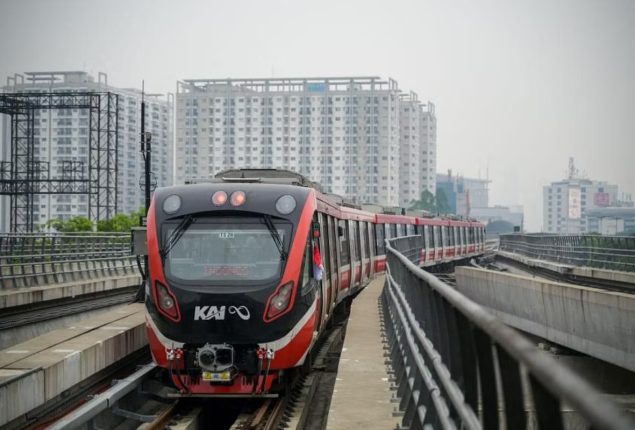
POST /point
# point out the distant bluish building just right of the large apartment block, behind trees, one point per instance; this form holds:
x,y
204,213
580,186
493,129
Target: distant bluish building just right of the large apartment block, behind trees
x,y
463,194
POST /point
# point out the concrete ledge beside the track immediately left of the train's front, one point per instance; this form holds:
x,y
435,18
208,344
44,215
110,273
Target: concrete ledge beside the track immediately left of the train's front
x,y
36,371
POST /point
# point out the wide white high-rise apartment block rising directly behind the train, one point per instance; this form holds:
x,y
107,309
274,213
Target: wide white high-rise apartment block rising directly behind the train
x,y
344,133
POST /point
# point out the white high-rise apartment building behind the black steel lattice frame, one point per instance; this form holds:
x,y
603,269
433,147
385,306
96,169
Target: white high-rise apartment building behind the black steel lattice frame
x,y
61,136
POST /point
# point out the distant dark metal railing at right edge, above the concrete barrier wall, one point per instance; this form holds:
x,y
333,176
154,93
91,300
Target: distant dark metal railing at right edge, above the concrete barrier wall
x,y
606,252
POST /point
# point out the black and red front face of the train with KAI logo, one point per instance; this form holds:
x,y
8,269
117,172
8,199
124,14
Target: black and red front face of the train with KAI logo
x,y
227,314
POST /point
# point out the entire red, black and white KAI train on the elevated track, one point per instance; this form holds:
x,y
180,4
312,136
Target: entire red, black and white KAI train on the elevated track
x,y
244,274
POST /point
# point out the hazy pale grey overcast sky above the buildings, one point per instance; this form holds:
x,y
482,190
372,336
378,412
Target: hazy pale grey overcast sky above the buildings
x,y
519,86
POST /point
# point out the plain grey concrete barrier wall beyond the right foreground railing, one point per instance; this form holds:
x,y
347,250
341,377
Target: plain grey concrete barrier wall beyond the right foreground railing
x,y
592,321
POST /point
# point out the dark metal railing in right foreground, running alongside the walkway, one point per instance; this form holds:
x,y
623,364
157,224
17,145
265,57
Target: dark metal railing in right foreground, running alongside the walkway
x,y
442,342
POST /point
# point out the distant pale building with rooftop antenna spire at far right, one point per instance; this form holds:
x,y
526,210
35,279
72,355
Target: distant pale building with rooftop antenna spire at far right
x,y
567,203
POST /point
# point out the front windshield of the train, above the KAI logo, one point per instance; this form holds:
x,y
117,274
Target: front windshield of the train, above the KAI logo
x,y
219,252
